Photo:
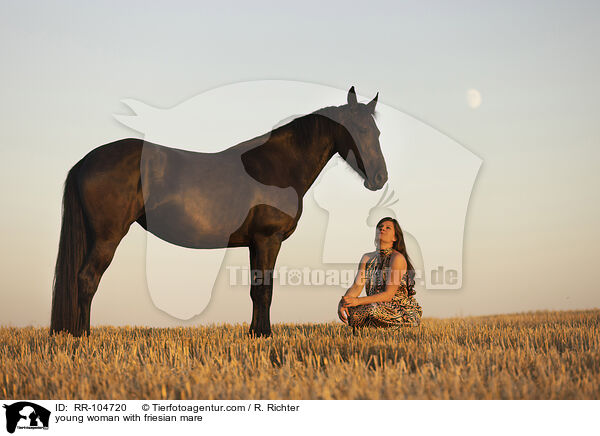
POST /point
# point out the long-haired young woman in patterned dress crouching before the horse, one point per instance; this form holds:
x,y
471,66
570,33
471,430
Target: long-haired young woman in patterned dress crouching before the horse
x,y
388,276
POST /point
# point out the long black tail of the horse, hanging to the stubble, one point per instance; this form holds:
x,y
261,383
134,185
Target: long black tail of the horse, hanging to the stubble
x,y
72,249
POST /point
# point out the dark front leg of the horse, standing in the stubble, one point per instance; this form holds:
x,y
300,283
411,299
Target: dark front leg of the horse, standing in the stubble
x,y
263,253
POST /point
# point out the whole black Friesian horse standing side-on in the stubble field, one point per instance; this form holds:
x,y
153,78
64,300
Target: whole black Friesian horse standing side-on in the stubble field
x,y
249,195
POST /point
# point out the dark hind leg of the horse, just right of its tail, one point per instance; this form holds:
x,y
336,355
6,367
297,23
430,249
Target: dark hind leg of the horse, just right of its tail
x,y
97,261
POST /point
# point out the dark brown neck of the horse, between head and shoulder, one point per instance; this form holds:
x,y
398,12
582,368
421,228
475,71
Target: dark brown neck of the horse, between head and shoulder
x,y
294,154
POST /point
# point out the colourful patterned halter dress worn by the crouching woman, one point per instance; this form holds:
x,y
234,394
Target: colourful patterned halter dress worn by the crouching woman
x,y
402,310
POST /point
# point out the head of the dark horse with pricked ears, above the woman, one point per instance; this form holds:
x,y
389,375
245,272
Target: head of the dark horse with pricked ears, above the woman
x,y
361,147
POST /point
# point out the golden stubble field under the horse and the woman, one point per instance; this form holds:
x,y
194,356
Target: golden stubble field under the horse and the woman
x,y
540,355
